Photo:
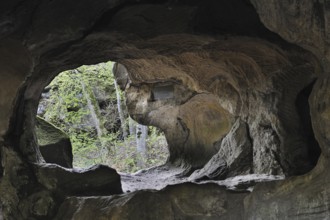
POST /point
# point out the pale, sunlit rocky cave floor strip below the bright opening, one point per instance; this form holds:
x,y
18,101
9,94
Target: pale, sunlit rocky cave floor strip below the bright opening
x,y
157,178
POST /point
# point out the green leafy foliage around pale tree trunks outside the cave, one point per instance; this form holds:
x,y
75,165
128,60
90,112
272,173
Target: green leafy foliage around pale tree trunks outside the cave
x,y
67,108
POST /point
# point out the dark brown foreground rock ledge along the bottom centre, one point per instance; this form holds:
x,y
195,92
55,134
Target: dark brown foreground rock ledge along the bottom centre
x,y
185,201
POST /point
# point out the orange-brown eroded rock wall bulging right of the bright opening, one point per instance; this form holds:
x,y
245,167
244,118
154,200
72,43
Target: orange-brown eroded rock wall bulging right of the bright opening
x,y
226,76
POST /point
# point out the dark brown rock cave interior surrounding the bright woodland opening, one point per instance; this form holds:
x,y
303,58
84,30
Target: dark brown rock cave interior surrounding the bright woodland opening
x,y
240,89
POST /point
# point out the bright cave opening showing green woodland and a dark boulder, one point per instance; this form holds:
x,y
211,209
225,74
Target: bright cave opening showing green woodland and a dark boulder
x,y
82,120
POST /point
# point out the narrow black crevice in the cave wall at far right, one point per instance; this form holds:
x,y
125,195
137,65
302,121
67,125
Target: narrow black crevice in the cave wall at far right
x,y
303,108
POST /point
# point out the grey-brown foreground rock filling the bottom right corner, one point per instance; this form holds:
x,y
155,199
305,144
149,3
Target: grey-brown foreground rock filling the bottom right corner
x,y
309,193
